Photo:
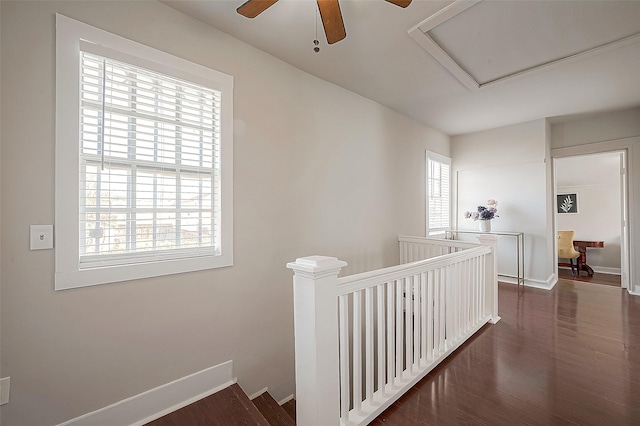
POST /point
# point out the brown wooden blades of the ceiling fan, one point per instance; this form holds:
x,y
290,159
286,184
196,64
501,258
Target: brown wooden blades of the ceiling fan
x,y
329,12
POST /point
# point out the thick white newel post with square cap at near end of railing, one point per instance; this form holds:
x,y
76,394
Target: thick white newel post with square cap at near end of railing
x,y
316,340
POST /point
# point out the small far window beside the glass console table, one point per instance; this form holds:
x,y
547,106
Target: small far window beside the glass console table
x,y
438,190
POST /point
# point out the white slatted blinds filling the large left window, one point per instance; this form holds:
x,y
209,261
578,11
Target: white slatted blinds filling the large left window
x,y
149,165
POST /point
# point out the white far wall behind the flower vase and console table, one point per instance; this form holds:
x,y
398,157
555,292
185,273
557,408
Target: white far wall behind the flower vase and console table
x,y
507,164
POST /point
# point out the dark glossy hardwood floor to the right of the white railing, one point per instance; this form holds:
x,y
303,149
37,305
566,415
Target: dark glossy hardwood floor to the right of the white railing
x,y
570,356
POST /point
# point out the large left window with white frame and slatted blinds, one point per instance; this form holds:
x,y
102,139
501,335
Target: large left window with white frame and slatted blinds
x,y
143,161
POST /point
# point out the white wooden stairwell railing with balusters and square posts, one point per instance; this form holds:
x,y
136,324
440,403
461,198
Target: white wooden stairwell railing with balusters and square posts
x,y
392,325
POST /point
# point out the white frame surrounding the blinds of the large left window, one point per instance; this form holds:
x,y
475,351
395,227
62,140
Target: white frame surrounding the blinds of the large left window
x,y
70,34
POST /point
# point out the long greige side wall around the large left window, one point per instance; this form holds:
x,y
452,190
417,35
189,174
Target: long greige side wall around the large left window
x,y
318,170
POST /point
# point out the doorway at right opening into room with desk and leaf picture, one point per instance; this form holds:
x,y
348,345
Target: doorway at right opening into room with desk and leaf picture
x,y
590,196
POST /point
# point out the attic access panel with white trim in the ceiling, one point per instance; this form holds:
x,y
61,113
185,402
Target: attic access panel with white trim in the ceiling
x,y
486,42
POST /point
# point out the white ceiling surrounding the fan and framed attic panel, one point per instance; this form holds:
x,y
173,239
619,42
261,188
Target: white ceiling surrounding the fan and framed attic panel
x,y
379,60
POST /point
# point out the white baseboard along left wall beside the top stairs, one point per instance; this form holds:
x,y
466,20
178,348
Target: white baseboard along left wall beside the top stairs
x,y
155,403
